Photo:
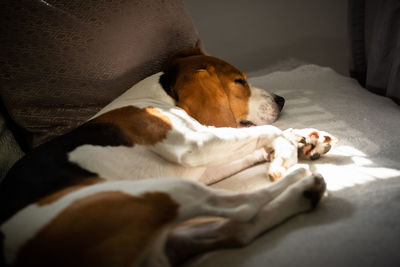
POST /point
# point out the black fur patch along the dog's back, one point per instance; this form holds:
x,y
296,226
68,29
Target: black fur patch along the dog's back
x,y
46,169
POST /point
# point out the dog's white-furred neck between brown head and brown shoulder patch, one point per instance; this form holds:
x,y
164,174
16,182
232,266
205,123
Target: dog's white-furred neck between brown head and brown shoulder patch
x,y
147,92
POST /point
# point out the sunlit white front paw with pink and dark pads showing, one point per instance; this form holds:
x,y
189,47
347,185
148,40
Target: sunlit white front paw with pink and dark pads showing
x,y
311,143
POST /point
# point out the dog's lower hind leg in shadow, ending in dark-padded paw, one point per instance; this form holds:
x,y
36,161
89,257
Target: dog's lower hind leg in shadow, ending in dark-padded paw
x,y
194,238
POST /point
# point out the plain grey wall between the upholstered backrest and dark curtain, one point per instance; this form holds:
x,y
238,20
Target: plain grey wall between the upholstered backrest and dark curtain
x,y
255,34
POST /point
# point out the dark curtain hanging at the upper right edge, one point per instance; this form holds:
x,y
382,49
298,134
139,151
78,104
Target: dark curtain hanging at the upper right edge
x,y
374,34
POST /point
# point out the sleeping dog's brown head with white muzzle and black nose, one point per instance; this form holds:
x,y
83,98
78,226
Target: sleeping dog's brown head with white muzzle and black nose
x,y
215,93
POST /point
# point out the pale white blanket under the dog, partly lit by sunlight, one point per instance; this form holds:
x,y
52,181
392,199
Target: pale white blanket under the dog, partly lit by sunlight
x,y
358,224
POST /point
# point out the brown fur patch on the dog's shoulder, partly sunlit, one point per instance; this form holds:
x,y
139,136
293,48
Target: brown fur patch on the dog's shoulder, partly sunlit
x,y
145,126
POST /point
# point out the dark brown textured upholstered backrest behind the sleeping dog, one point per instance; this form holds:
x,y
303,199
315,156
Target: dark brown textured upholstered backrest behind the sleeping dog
x,y
62,61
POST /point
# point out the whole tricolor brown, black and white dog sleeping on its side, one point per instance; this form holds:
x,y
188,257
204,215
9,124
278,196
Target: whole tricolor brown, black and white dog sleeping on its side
x,y
121,189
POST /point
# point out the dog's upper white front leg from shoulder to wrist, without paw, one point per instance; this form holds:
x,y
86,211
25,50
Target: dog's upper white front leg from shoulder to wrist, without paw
x,y
194,145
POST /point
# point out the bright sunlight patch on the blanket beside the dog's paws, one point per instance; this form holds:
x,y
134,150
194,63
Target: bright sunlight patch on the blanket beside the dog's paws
x,y
346,166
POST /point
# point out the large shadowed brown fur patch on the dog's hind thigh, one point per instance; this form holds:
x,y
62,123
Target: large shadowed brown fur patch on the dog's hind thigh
x,y
104,229
